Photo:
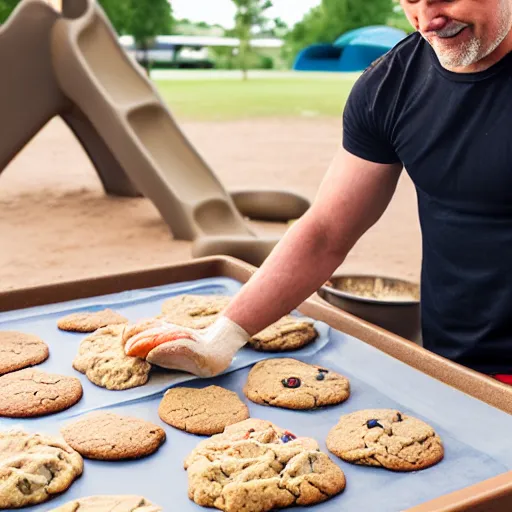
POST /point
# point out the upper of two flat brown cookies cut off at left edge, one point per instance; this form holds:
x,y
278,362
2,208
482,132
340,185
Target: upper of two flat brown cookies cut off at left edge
x,y
19,350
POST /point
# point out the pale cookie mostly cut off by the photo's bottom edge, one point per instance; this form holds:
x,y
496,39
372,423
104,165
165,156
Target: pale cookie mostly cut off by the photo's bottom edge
x,y
109,504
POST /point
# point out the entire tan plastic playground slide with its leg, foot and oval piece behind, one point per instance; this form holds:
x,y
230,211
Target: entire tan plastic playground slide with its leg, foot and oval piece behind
x,y
71,64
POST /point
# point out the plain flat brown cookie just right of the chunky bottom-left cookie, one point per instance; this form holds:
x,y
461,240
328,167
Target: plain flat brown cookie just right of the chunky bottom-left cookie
x,y
109,436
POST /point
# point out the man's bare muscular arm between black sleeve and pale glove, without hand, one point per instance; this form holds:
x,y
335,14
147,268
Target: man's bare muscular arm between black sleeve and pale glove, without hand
x,y
352,197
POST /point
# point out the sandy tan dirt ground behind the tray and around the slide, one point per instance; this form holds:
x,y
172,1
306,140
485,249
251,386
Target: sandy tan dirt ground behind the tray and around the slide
x,y
56,223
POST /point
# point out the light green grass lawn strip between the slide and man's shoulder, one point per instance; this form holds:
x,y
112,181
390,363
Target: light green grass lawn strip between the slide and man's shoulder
x,y
226,99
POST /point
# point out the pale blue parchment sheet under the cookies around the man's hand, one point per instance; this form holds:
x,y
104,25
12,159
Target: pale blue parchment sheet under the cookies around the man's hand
x,y
134,305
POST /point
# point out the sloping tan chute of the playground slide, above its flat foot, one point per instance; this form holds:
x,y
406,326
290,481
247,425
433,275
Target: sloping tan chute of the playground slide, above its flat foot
x,y
98,76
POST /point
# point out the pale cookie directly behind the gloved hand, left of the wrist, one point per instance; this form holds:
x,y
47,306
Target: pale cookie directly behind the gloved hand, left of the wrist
x,y
194,311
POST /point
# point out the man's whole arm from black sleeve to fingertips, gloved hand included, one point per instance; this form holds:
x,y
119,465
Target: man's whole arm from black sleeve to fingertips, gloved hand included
x,y
351,198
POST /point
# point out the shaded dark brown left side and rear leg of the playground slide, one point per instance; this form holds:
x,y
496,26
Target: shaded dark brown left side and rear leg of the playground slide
x,y
30,95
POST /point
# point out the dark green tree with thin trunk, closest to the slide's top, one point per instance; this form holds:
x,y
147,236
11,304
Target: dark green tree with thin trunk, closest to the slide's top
x,y
147,19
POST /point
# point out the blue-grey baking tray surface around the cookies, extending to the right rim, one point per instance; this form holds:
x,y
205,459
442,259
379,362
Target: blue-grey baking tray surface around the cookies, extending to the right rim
x,y
476,436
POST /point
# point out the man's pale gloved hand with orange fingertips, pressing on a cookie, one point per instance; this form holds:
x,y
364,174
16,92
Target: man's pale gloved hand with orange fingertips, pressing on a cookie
x,y
204,353
